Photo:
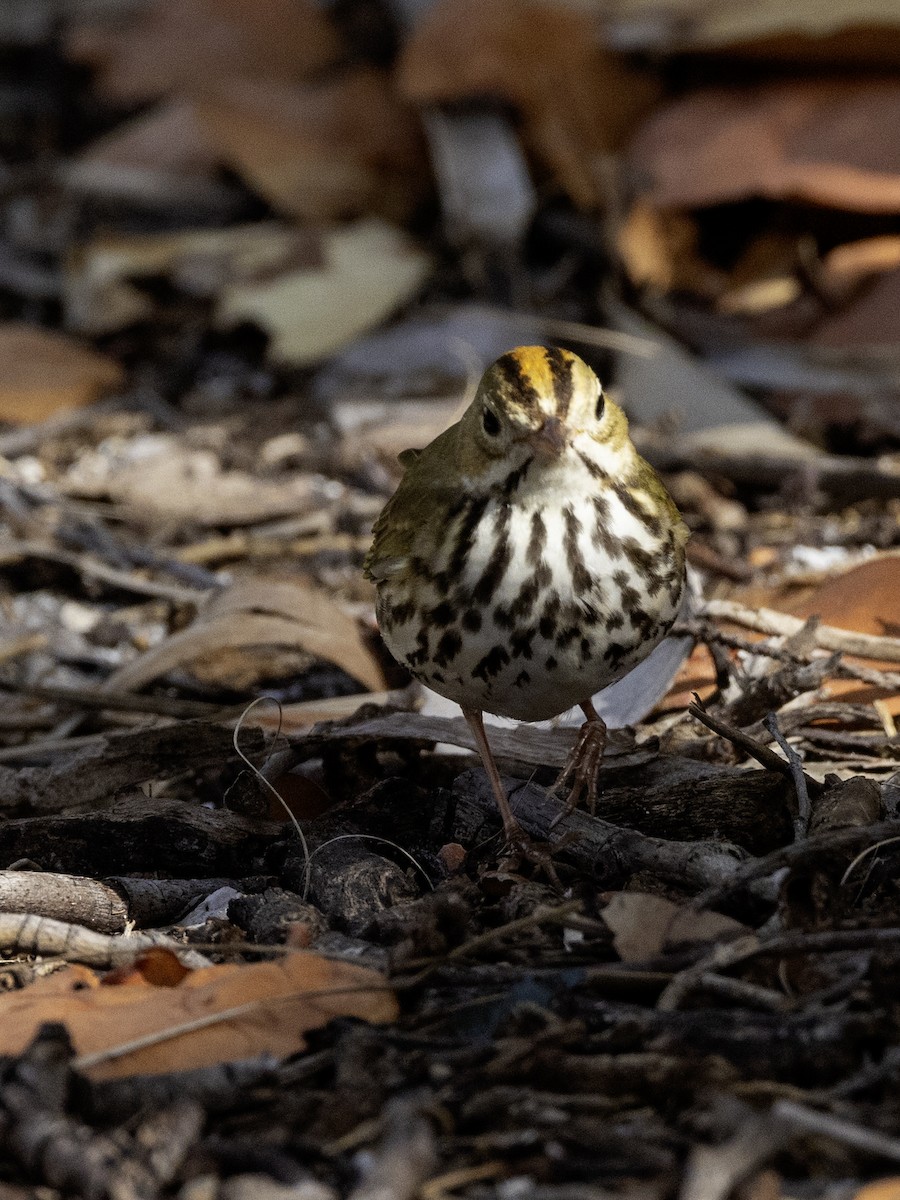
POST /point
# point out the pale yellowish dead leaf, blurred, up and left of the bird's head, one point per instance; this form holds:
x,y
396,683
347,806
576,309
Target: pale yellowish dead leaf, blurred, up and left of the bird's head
x,y
370,269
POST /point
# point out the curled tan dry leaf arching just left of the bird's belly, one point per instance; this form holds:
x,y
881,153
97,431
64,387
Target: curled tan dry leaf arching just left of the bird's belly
x,y
261,613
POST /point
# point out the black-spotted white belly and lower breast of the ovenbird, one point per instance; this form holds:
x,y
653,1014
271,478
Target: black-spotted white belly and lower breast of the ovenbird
x,y
527,633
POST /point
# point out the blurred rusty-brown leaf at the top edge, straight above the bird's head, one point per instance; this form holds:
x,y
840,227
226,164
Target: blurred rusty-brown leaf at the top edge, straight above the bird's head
x,y
578,100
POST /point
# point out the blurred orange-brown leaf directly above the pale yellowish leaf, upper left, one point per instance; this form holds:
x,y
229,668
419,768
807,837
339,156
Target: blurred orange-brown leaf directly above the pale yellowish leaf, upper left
x,y
344,147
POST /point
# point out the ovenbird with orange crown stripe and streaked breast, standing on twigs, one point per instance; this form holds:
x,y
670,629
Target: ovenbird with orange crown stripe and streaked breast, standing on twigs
x,y
530,556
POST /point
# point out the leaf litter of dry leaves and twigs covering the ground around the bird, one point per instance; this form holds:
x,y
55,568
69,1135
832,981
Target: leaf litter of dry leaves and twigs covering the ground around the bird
x,y
233,290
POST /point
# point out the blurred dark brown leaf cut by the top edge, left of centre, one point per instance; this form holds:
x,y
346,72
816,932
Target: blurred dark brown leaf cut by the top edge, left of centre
x,y
188,46
